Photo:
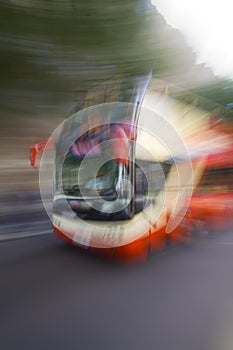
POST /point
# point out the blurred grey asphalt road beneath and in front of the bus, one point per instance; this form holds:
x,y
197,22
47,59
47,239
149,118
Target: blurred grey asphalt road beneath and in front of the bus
x,y
54,296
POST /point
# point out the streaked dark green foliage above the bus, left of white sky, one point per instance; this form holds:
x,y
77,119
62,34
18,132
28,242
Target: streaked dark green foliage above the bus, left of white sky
x,y
64,47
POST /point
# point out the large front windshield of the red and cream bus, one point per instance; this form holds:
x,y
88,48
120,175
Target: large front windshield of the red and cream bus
x,y
96,176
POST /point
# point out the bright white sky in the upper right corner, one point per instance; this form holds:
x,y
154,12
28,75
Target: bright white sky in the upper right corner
x,y
208,28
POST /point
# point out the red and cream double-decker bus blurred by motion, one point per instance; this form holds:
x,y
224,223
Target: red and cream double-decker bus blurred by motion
x,y
117,190
